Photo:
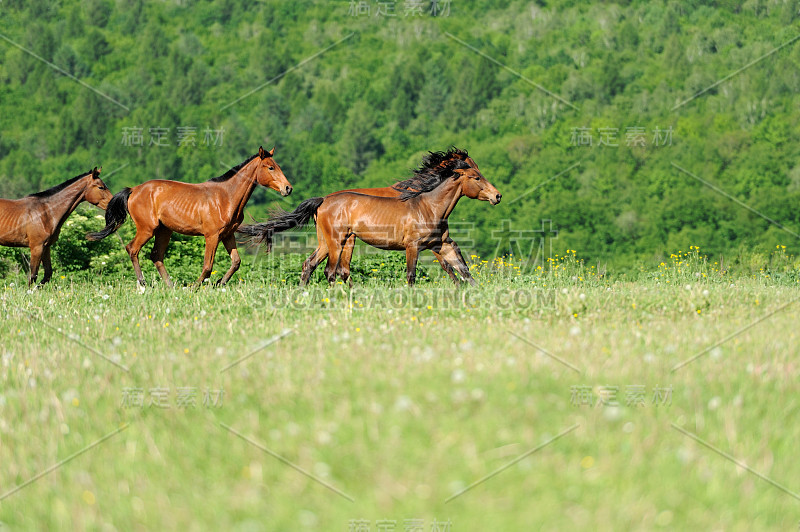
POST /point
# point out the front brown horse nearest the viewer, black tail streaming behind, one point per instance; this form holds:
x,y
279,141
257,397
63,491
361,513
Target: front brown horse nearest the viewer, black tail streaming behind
x,y
414,221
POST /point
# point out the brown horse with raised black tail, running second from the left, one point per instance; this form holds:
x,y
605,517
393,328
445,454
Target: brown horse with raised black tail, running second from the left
x,y
213,209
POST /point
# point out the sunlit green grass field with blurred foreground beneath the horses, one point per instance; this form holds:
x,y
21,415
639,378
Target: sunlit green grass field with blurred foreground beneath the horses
x,y
382,404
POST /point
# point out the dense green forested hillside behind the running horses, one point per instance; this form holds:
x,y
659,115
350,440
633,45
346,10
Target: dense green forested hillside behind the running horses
x,y
579,113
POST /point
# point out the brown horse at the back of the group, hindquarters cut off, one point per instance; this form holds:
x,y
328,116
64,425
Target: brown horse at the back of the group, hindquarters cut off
x,y
35,221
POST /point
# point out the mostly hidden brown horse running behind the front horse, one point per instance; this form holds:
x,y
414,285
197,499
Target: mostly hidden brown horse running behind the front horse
x,y
439,159
